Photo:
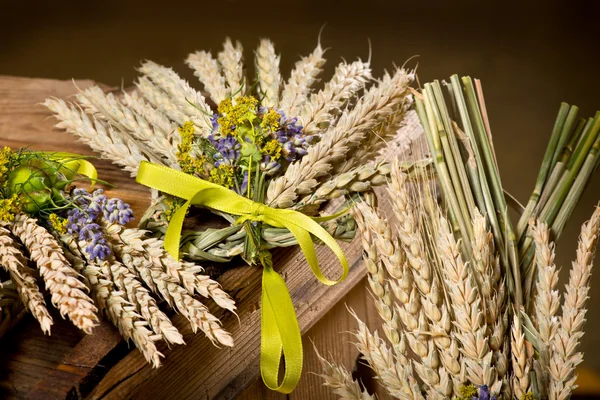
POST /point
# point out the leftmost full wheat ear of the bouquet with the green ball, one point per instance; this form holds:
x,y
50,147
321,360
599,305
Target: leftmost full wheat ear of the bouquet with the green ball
x,y
15,263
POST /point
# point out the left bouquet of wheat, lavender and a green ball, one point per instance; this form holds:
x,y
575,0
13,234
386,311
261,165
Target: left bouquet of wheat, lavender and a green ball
x,y
87,258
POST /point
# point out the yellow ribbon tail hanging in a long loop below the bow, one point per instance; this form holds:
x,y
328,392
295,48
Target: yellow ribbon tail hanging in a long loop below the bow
x,y
280,333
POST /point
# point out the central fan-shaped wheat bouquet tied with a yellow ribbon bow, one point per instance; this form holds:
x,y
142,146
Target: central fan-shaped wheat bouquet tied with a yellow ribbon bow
x,y
265,157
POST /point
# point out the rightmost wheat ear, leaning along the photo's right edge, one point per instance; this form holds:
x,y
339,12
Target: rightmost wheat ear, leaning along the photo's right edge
x,y
565,356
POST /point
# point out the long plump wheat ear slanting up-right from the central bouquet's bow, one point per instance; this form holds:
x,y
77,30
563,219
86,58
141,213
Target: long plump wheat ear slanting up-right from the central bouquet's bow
x,y
301,177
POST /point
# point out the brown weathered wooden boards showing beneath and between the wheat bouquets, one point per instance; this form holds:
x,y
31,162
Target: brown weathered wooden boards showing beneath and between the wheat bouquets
x,y
70,363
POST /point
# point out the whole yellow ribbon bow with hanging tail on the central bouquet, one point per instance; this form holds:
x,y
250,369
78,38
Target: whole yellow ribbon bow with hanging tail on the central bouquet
x,y
280,330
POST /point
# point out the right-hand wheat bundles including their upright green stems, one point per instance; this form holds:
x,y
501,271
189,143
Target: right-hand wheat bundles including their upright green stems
x,y
469,304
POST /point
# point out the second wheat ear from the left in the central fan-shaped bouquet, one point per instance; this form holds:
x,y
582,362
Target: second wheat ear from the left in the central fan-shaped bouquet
x,y
153,142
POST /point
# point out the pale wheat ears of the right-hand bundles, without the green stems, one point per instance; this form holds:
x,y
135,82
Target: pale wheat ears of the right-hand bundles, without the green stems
x,y
448,323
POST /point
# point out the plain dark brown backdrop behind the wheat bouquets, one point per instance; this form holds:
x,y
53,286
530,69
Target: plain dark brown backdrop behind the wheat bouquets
x,y
529,55
